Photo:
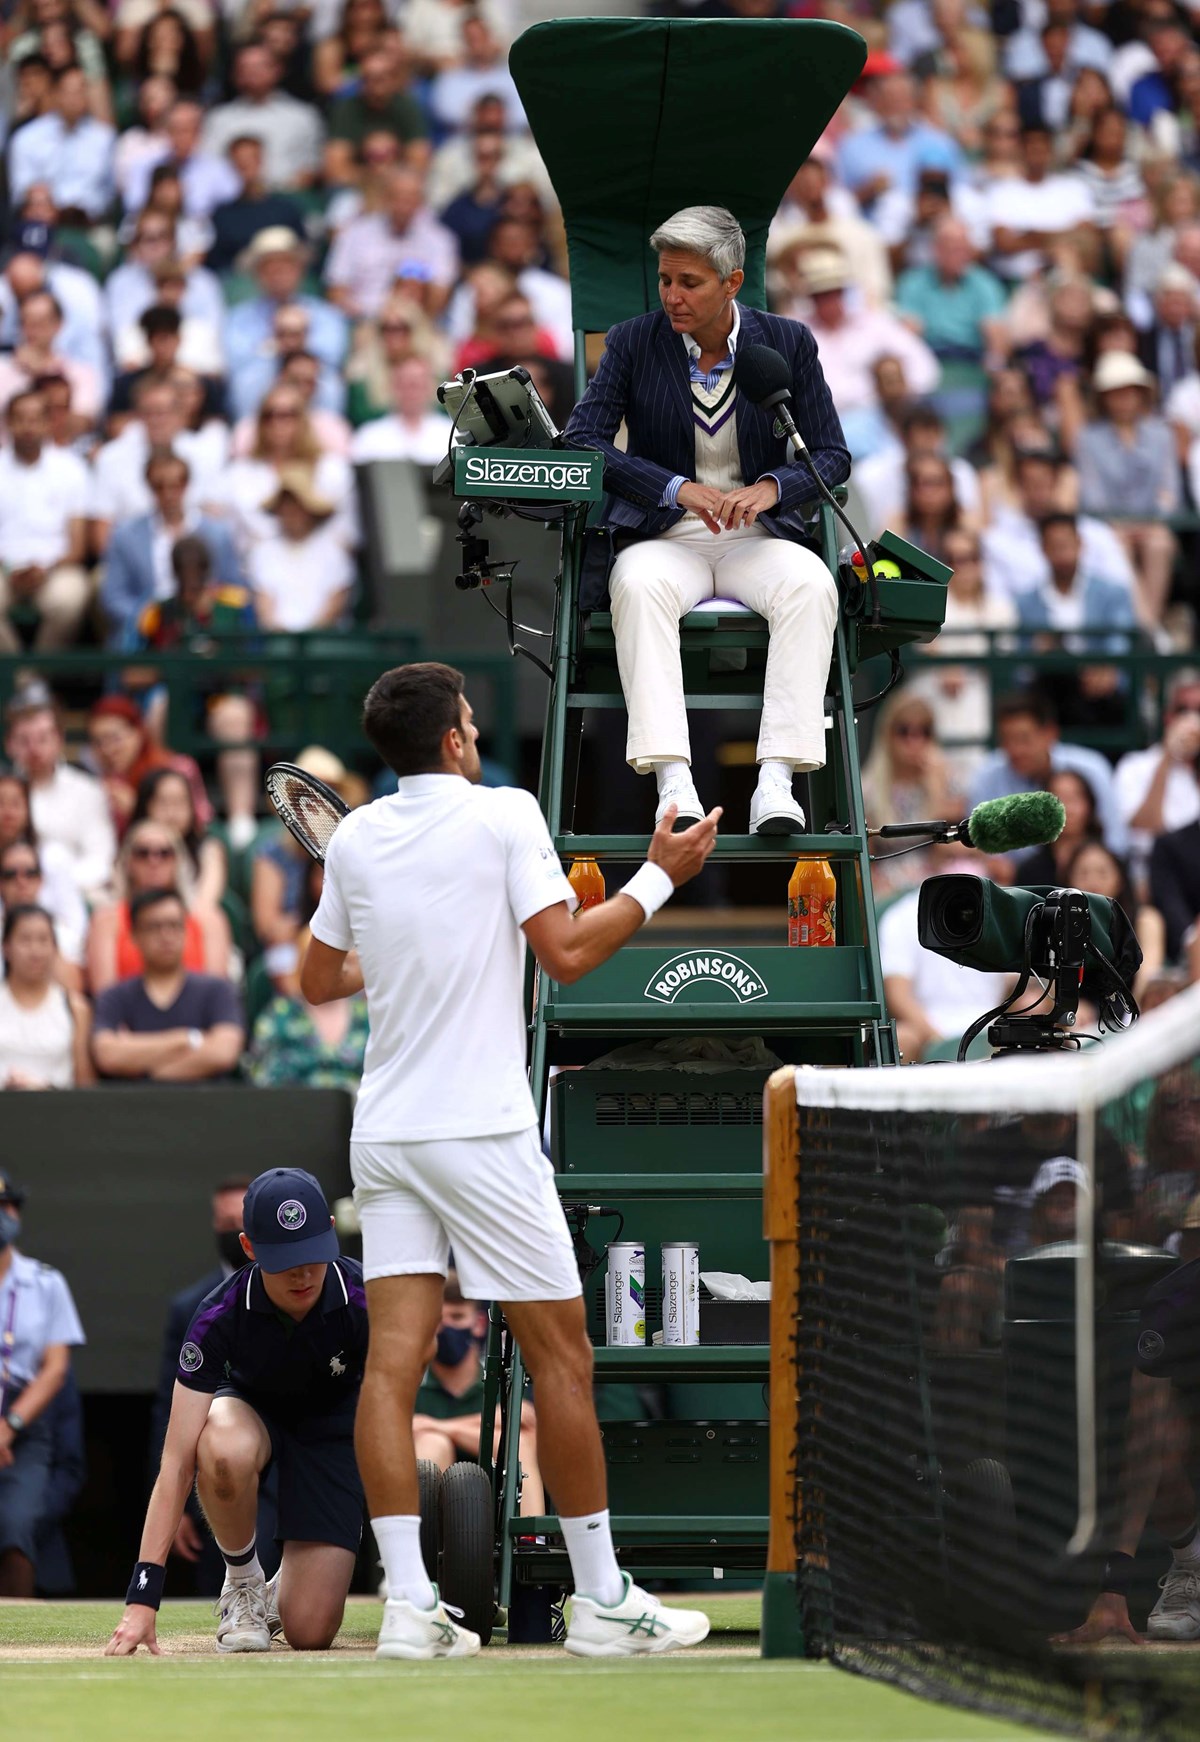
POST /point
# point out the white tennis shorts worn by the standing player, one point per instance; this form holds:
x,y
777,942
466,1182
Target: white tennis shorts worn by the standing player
x,y
489,1199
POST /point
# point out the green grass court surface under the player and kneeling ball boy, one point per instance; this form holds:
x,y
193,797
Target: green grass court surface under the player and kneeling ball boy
x,y
57,1687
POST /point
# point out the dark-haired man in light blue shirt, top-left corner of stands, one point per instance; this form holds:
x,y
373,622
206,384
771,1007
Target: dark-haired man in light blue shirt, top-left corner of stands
x,y
71,151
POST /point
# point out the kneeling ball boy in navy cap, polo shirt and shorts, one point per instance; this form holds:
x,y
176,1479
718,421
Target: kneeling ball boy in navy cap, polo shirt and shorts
x,y
269,1374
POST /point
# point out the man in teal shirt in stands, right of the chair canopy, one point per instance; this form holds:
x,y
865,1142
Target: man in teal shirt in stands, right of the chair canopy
x,y
955,306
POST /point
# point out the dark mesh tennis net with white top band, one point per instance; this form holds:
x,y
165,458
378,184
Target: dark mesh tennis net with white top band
x,y
994,1372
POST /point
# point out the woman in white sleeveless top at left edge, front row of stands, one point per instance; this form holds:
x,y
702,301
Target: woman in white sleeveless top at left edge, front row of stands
x,y
44,1029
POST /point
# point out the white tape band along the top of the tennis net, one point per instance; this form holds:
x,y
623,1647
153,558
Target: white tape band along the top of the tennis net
x,y
1060,1083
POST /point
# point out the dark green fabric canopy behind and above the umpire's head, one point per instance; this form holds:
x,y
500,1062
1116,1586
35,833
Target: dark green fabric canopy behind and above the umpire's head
x,y
638,118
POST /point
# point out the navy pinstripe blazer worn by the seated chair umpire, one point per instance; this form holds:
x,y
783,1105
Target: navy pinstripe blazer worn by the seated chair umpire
x,y
644,381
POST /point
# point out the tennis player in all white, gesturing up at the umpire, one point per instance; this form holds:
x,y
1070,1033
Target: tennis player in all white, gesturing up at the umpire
x,y
426,901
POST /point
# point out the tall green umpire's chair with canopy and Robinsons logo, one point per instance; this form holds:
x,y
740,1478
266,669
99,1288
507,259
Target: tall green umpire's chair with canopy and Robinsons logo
x,y
675,1154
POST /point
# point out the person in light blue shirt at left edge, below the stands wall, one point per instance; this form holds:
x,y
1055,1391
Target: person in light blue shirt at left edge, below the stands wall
x,y
39,1327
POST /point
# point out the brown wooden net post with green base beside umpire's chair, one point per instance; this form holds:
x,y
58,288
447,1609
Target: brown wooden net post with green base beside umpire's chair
x,y
783,1630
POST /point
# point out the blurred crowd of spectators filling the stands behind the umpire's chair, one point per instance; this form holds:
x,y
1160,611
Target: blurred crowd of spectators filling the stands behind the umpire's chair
x,y
243,243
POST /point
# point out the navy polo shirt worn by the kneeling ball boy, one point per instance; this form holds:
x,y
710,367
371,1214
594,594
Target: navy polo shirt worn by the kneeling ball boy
x,y
290,1367
